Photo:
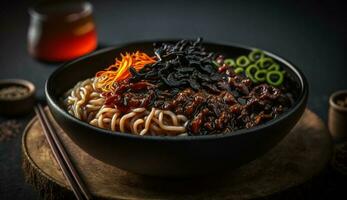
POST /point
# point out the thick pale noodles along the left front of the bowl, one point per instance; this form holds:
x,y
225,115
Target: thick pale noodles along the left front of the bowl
x,y
87,103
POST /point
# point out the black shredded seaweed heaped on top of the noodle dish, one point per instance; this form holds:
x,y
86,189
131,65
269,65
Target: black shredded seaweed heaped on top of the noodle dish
x,y
184,64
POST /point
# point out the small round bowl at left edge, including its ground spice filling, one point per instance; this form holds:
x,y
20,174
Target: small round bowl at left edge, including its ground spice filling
x,y
17,96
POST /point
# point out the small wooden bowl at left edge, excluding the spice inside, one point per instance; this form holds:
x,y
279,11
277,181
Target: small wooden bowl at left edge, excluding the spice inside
x,y
20,105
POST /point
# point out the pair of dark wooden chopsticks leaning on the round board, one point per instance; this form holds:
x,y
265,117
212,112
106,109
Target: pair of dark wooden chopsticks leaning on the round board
x,y
69,171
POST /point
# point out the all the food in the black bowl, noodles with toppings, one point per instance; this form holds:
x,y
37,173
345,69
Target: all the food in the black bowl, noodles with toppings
x,y
182,90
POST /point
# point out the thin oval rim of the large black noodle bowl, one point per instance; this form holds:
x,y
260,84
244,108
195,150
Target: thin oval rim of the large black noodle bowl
x,y
298,103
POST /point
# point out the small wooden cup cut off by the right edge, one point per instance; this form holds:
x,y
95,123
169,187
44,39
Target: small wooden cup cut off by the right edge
x,y
337,121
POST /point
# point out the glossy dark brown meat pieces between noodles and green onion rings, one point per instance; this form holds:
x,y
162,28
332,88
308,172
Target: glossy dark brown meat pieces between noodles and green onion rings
x,y
210,113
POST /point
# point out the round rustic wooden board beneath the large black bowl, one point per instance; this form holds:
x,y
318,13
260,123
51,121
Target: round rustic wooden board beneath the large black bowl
x,y
302,154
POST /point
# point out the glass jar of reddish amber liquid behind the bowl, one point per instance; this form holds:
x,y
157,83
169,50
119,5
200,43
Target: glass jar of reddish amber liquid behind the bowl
x,y
61,30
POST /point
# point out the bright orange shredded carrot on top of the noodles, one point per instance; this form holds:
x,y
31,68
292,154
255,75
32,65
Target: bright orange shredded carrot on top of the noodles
x,y
106,79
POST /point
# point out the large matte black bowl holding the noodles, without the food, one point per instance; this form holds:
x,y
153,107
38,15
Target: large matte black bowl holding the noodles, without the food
x,y
169,156
